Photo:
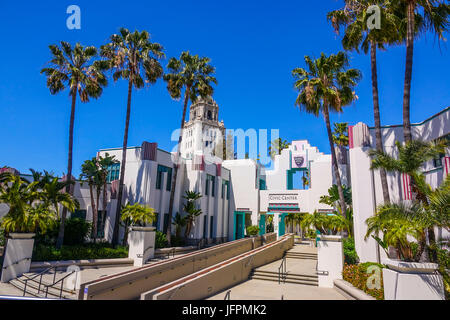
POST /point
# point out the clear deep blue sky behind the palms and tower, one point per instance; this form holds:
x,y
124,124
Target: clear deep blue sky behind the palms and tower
x,y
254,46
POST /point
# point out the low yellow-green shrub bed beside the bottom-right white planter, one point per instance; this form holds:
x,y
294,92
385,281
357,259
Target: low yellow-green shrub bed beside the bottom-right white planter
x,y
357,275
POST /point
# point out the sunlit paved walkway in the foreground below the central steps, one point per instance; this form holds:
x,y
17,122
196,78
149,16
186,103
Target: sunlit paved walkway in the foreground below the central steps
x,y
268,290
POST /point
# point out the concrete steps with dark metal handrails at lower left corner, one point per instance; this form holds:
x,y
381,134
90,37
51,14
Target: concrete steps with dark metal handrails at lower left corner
x,y
32,289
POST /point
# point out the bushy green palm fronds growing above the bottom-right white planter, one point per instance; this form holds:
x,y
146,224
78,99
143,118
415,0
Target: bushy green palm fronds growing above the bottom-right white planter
x,y
430,208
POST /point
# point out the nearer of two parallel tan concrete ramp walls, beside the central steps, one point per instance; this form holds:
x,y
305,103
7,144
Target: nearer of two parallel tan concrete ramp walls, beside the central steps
x,y
221,276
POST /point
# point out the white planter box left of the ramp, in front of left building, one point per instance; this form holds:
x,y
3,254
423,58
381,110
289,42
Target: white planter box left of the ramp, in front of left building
x,y
141,242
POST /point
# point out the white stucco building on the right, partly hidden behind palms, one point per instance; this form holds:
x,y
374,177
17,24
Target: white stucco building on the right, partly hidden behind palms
x,y
366,184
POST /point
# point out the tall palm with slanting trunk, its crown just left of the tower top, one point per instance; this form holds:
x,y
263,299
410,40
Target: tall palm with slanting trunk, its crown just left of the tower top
x,y
195,75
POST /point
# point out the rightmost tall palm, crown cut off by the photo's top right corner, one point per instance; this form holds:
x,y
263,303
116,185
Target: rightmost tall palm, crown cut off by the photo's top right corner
x,y
435,15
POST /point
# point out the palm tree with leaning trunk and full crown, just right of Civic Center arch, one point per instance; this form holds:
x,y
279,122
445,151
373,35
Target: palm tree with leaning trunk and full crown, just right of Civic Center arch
x,y
327,86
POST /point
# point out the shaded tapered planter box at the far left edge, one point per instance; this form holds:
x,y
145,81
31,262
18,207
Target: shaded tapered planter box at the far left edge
x,y
17,255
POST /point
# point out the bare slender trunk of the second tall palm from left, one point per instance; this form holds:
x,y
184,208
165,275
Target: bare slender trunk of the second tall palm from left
x,y
115,239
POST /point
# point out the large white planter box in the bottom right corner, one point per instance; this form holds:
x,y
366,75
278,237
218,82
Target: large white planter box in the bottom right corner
x,y
412,281
